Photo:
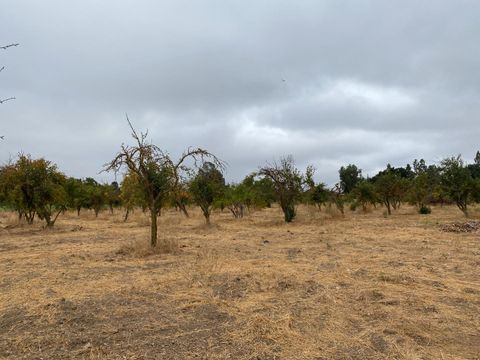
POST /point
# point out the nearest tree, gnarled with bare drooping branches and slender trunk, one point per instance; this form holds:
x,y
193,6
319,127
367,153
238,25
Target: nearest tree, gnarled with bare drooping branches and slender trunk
x,y
159,176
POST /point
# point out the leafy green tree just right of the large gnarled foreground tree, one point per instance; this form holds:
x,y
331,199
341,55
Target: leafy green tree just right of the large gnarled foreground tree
x,y
207,187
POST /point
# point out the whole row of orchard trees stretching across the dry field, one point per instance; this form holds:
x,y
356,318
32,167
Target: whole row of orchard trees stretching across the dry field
x,y
153,181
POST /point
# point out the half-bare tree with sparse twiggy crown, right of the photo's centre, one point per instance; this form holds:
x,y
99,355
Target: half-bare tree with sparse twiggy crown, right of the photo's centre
x,y
288,183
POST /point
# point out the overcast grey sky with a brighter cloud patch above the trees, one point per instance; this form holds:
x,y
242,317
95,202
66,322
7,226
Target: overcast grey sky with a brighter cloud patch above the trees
x,y
330,82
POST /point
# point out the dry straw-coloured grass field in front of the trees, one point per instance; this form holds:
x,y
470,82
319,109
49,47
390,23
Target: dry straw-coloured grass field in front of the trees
x,y
324,287
